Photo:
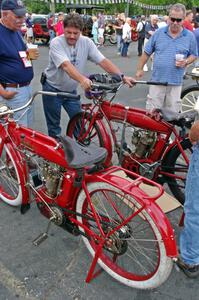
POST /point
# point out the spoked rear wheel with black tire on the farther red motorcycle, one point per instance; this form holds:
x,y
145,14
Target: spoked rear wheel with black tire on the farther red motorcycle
x,y
176,165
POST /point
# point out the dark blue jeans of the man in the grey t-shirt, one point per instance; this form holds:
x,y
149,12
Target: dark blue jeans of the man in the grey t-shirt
x,y
52,109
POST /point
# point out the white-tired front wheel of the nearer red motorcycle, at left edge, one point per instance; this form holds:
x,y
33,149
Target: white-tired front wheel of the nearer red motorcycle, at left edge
x,y
10,186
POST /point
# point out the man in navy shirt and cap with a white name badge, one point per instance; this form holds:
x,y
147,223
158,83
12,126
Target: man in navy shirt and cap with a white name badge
x,y
15,65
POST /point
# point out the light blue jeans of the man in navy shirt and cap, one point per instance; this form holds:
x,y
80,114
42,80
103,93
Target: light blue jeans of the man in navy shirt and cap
x,y
23,117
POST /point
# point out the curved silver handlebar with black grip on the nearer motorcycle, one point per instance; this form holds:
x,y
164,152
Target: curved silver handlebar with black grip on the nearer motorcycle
x,y
4,111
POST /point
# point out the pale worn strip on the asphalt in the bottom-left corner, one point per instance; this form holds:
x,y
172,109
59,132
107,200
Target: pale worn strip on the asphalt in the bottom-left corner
x,y
13,284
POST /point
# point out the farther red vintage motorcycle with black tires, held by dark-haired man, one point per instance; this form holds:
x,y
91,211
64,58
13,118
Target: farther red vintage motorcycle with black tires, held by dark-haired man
x,y
151,148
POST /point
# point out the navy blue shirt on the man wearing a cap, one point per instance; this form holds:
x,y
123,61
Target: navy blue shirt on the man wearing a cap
x,y
12,69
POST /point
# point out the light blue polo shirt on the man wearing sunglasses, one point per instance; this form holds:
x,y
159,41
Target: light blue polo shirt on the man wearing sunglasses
x,y
165,47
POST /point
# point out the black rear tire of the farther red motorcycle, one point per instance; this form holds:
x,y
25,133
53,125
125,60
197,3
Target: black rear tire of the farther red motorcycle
x,y
170,162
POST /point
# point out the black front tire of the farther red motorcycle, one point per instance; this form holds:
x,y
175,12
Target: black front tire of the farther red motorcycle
x,y
73,121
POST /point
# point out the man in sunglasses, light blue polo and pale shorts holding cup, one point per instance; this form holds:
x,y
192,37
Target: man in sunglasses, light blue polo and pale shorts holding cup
x,y
174,48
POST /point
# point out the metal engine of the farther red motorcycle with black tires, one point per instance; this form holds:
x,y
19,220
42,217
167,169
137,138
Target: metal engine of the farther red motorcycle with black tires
x,y
143,142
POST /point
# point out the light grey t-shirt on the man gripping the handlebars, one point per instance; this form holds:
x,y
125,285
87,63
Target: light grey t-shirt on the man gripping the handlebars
x,y
60,51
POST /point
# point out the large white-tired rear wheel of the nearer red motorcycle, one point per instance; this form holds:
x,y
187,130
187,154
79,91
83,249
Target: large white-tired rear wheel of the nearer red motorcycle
x,y
134,254
